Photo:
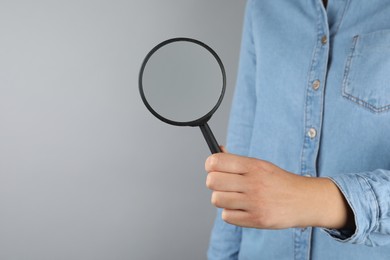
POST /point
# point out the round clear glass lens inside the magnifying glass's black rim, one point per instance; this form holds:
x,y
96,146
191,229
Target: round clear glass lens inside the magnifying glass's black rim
x,y
182,82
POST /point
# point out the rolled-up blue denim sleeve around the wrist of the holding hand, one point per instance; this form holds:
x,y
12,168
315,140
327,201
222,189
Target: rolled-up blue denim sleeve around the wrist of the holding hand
x,y
368,195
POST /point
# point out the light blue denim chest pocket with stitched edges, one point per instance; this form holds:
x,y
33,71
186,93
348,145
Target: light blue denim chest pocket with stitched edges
x,y
367,72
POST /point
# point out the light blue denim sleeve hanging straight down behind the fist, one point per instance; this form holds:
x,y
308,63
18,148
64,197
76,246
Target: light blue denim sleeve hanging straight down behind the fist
x,y
225,238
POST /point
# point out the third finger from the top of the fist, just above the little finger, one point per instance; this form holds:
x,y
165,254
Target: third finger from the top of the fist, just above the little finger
x,y
229,200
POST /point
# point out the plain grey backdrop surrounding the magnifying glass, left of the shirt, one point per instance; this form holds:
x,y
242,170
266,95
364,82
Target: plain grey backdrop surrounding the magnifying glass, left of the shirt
x,y
86,172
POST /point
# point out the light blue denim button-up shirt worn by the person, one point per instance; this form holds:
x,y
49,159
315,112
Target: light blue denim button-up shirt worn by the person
x,y
313,97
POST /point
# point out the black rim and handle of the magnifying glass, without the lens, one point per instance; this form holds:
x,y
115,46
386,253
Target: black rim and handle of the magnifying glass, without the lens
x,y
202,121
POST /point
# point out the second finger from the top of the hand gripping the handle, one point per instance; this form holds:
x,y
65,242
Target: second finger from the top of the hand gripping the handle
x,y
219,181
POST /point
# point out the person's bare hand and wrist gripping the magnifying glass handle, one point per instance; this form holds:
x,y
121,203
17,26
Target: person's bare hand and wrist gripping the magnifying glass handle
x,y
256,193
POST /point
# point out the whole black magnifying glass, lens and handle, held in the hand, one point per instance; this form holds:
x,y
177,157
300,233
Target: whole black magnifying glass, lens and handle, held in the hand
x,y
182,82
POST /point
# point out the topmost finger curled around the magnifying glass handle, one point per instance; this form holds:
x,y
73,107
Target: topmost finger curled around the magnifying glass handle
x,y
226,162
